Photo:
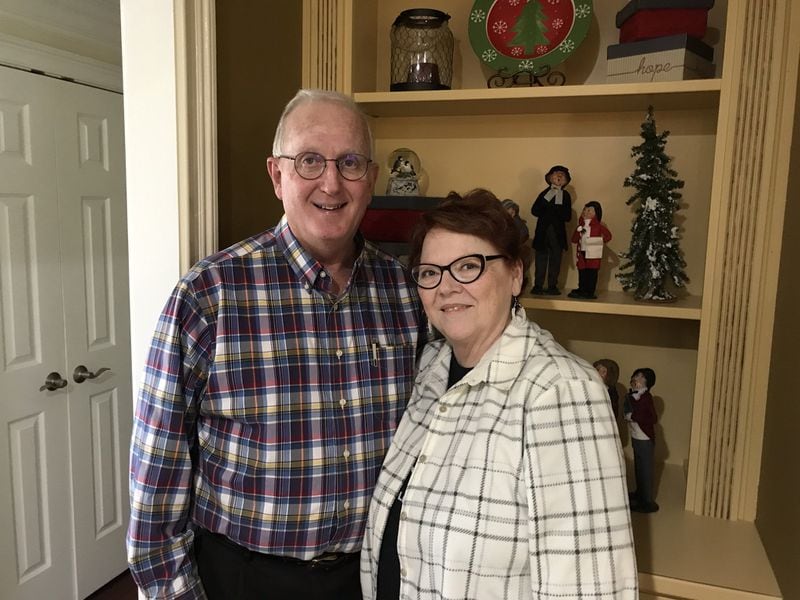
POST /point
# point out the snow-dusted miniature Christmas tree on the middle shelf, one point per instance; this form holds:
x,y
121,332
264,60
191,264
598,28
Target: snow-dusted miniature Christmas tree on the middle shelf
x,y
654,260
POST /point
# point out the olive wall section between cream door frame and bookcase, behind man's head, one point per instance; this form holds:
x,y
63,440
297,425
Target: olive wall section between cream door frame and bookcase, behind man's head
x,y
258,70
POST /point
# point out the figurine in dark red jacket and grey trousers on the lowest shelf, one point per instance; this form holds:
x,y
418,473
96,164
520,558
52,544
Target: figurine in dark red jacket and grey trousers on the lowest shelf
x,y
640,413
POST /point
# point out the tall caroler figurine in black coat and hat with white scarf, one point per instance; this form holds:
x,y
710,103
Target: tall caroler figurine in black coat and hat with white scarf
x,y
553,209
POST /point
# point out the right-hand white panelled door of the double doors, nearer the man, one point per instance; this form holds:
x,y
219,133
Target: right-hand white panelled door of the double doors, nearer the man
x,y
95,281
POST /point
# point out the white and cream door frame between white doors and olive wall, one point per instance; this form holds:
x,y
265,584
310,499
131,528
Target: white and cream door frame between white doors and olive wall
x,y
158,40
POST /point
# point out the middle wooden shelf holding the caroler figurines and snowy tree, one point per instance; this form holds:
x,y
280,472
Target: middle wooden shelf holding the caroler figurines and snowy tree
x,y
617,303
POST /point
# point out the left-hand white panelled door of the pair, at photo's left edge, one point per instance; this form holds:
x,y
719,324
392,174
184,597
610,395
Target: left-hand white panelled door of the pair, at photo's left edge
x,y
35,518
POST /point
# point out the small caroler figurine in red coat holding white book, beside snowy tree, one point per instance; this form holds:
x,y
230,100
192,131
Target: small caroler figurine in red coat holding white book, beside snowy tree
x,y
590,236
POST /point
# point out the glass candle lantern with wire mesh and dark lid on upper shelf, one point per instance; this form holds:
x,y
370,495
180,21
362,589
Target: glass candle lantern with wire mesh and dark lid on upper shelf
x,y
422,50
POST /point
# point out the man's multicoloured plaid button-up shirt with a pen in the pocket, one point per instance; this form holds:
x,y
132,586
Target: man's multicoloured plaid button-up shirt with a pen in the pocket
x,y
267,406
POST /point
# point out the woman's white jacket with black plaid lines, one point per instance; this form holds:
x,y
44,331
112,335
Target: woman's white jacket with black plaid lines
x,y
518,486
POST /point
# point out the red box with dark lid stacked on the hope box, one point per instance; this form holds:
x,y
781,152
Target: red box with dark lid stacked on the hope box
x,y
647,19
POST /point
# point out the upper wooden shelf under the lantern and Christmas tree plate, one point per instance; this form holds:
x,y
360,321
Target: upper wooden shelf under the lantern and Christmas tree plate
x,y
598,98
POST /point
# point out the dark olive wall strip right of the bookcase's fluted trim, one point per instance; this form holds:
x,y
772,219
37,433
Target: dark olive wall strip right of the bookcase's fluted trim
x,y
778,518
